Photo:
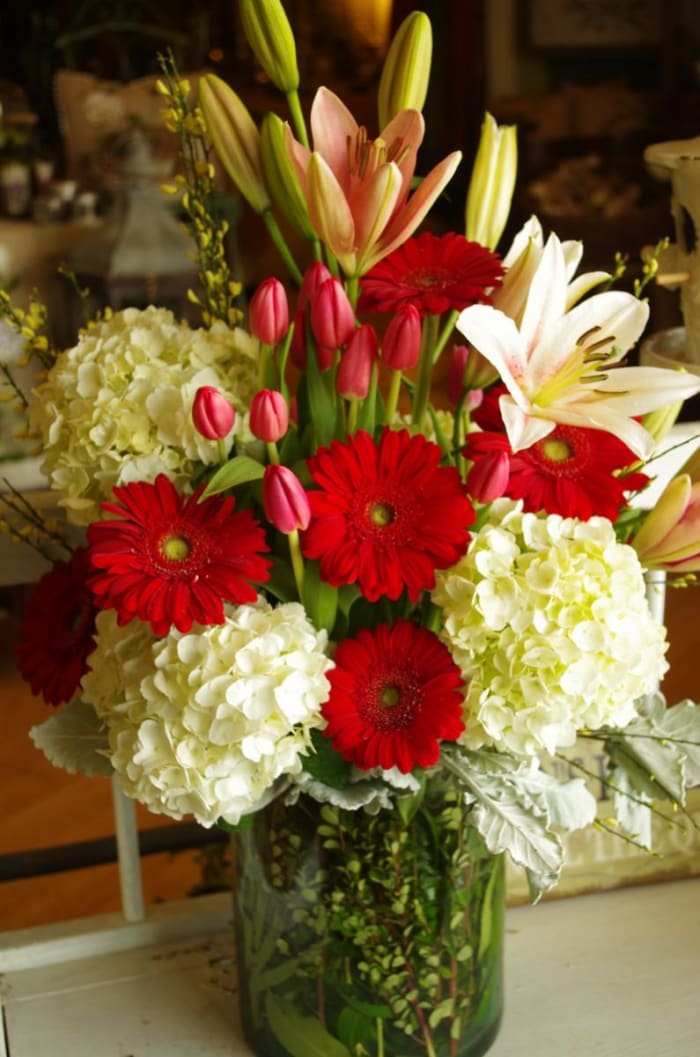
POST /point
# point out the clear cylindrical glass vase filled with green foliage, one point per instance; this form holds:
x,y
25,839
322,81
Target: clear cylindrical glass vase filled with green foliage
x,y
367,935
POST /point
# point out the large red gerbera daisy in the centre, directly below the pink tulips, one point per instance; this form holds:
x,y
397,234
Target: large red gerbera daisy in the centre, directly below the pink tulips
x,y
385,515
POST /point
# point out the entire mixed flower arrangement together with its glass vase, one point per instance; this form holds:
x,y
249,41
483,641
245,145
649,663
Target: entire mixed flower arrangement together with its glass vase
x,y
305,574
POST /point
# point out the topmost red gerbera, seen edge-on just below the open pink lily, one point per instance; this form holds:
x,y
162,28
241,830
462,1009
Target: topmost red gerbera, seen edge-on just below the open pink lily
x,y
435,273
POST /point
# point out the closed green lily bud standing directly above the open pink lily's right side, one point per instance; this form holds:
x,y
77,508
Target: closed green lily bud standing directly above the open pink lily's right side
x,y
407,71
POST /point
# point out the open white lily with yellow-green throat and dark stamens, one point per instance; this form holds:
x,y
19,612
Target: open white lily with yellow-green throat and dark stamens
x,y
556,363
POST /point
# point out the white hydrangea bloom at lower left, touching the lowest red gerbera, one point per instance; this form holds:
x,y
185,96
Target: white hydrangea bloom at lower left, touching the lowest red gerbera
x,y
206,724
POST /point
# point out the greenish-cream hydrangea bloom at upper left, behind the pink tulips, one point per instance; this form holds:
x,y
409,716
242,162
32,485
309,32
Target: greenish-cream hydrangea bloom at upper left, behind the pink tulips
x,y
117,407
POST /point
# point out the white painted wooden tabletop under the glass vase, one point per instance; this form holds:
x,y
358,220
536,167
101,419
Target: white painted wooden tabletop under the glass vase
x,y
612,975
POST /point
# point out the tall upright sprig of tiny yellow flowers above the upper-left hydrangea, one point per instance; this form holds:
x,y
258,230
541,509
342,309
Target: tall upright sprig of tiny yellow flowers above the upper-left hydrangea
x,y
219,290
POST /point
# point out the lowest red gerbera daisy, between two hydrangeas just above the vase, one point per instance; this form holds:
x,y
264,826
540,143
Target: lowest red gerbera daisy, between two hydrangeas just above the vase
x,y
395,696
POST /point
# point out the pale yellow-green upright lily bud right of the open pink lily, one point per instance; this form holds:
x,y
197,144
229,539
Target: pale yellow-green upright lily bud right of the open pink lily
x,y
492,183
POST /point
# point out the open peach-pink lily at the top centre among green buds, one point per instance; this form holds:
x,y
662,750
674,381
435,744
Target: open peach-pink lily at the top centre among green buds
x,y
358,190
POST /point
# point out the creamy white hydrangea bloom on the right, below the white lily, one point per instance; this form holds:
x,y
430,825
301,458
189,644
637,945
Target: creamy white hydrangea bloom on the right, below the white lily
x,y
548,620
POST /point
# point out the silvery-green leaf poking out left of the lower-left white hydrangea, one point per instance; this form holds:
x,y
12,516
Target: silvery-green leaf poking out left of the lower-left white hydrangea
x,y
76,740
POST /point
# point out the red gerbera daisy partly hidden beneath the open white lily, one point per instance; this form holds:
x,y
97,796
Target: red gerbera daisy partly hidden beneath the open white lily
x,y
573,472
